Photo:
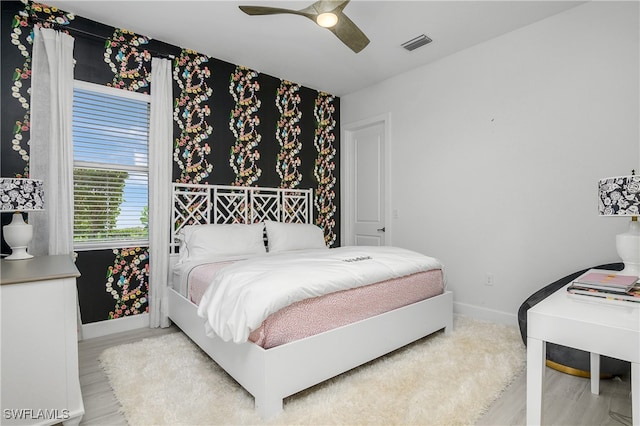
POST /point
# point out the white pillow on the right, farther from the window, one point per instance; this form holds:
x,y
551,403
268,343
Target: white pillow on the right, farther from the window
x,y
293,236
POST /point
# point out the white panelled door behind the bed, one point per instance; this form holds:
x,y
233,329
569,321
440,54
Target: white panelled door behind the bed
x,y
366,189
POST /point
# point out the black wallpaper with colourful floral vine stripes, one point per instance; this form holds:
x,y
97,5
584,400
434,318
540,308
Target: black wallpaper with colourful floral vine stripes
x,y
232,125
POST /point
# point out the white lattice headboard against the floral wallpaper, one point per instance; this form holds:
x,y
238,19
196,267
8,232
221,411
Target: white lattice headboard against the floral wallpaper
x,y
205,204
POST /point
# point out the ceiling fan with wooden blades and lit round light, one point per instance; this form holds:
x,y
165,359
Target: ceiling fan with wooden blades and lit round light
x,y
326,13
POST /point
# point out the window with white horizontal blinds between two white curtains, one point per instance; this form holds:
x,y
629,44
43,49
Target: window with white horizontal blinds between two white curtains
x,y
111,171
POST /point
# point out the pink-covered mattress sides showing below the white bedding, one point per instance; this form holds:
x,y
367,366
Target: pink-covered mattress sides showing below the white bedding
x,y
319,314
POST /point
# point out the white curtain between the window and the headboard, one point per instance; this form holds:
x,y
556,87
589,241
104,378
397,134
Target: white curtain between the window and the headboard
x,y
160,157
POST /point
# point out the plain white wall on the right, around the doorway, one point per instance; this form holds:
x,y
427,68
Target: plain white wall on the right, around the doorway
x,y
497,150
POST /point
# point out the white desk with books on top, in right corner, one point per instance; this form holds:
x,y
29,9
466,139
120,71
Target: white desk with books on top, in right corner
x,y
595,326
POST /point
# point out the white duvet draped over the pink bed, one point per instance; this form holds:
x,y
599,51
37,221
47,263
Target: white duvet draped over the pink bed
x,y
244,294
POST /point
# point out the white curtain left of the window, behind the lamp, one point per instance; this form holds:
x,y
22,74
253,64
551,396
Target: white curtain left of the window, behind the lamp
x,y
51,153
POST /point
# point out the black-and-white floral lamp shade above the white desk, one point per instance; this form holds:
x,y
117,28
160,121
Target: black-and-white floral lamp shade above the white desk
x,y
619,196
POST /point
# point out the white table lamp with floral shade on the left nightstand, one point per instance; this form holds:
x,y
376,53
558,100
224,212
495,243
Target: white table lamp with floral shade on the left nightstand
x,y
19,195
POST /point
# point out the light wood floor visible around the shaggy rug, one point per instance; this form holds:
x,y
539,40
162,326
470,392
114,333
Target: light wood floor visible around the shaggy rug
x,y
567,399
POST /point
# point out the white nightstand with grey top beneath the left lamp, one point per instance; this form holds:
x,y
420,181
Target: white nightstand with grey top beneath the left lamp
x,y
39,355
